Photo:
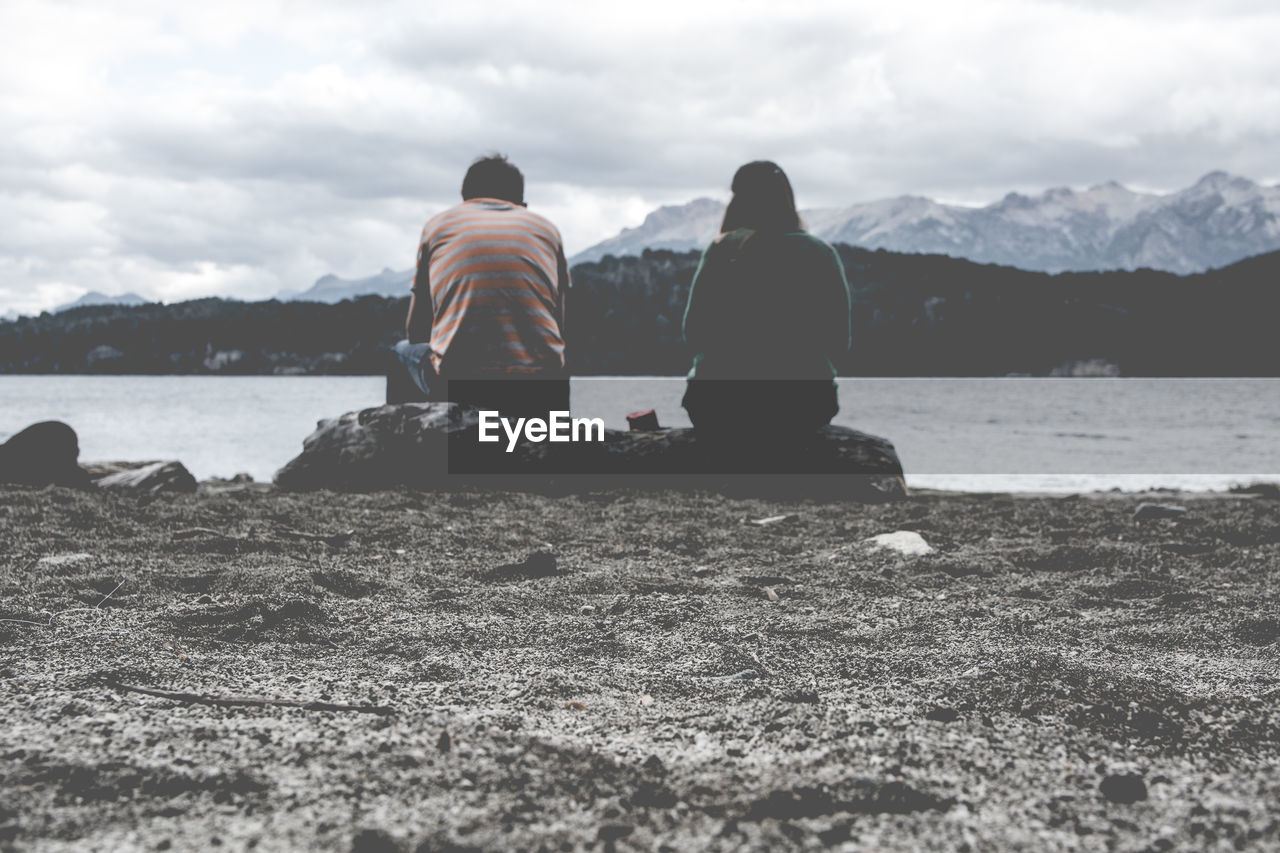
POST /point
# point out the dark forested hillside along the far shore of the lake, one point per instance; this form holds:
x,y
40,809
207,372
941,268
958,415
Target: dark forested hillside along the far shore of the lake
x,y
913,316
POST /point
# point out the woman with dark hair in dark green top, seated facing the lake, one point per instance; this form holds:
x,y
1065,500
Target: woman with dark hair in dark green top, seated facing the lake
x,y
767,317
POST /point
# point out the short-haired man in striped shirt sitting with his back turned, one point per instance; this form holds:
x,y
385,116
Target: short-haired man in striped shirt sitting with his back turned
x,y
487,311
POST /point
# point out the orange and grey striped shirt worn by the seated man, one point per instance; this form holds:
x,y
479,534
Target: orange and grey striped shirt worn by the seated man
x,y
497,280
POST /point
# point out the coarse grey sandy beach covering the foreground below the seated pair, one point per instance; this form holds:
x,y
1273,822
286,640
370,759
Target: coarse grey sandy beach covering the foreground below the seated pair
x,y
642,672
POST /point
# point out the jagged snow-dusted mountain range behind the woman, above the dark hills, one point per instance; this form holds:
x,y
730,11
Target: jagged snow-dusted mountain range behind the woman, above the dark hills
x,y
1217,222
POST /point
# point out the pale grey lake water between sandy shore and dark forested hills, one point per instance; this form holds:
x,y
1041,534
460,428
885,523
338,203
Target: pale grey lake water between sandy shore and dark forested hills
x,y
968,435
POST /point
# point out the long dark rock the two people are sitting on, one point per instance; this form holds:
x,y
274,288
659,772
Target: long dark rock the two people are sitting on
x,y
435,446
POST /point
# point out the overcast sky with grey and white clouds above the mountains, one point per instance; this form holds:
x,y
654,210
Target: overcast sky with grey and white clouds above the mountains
x,y
250,147
